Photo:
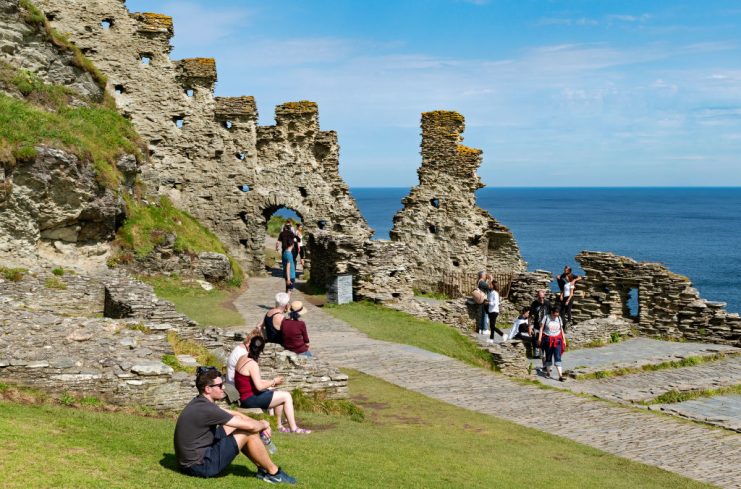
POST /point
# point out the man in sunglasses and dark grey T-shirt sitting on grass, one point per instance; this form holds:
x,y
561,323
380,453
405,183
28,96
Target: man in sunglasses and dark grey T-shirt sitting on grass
x,y
208,438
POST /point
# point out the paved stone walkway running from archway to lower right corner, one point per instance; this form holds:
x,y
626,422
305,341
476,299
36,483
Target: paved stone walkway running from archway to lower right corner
x,y
691,450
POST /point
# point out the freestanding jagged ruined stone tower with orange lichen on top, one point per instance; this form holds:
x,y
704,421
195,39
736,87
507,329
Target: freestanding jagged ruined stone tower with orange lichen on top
x,y
440,223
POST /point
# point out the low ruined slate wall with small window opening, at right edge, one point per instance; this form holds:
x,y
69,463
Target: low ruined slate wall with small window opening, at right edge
x,y
668,305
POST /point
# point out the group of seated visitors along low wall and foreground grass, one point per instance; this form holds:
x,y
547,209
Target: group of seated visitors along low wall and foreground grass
x,y
209,437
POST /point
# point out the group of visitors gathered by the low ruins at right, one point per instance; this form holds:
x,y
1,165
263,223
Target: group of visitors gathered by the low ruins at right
x,y
541,326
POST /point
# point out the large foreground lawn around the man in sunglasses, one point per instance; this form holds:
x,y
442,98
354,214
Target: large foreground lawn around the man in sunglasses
x,y
407,440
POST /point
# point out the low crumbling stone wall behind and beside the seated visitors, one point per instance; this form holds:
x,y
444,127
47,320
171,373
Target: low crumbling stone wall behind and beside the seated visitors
x,y
55,340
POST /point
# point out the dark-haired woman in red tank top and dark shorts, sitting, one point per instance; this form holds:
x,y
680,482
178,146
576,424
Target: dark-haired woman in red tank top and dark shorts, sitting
x,y
254,392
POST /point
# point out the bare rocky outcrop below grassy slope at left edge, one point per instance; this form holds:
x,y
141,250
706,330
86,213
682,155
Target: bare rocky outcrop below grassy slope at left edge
x,y
54,197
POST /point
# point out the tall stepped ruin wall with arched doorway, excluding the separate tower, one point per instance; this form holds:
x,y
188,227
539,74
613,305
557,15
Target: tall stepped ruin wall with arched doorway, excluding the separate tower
x,y
219,148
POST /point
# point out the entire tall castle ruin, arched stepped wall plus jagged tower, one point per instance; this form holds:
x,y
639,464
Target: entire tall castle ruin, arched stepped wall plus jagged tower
x,y
203,165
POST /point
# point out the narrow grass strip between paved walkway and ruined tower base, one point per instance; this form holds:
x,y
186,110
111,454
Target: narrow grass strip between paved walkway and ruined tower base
x,y
381,323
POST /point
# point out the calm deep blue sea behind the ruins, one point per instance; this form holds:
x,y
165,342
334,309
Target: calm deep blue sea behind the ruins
x,y
694,231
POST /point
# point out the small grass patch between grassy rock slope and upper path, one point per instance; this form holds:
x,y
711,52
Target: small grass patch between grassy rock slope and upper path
x,y
208,308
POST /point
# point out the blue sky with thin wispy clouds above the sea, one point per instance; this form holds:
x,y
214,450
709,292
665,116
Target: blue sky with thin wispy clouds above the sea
x,y
556,93
